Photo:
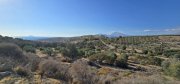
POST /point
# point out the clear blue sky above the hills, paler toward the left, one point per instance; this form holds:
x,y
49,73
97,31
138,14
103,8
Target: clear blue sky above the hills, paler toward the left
x,y
83,17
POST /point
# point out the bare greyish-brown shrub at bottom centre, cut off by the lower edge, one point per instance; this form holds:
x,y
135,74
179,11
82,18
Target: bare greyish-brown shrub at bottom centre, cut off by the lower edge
x,y
83,73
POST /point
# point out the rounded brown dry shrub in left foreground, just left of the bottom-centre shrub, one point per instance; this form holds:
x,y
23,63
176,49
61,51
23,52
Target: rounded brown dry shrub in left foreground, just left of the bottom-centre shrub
x,y
54,69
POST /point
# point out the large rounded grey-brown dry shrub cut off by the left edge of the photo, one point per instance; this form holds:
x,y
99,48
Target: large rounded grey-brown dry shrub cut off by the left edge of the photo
x,y
11,56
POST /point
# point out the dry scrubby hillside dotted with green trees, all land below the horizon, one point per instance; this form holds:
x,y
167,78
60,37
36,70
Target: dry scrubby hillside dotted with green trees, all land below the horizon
x,y
91,60
